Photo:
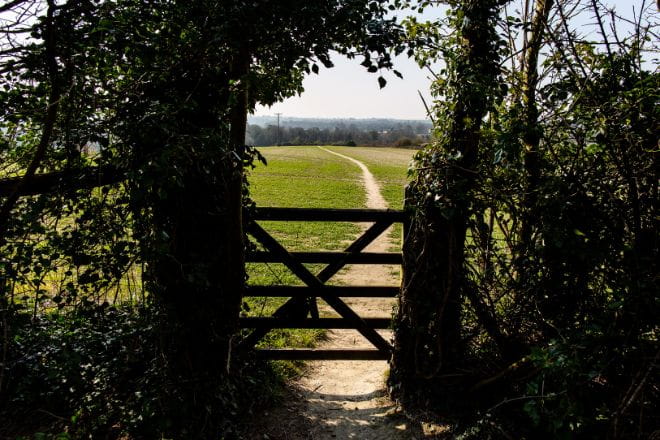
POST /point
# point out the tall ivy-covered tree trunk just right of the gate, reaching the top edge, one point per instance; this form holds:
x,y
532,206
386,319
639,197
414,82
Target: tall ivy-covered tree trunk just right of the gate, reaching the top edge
x,y
428,326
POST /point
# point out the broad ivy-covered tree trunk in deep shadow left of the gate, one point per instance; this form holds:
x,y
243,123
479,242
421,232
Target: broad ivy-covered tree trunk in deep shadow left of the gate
x,y
187,192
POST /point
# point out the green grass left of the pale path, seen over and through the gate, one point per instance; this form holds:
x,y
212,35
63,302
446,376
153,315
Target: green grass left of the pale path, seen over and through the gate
x,y
300,177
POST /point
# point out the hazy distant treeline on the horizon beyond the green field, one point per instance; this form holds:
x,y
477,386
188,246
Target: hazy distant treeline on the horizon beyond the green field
x,y
399,135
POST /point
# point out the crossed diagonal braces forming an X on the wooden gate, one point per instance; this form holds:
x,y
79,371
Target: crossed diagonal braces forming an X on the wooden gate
x,y
297,306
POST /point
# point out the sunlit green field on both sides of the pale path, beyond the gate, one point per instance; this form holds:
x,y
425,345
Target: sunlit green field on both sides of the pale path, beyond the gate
x,y
311,177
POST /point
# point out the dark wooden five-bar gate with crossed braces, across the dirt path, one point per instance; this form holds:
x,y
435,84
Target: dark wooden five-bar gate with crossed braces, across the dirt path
x,y
301,311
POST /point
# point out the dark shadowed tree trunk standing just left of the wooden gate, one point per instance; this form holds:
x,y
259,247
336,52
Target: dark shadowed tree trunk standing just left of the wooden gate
x,y
196,269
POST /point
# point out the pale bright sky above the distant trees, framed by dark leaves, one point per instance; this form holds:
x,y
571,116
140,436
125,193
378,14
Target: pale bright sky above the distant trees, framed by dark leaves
x,y
349,91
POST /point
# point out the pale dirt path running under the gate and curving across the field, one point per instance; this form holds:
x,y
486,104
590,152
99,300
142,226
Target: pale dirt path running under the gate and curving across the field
x,y
347,399
